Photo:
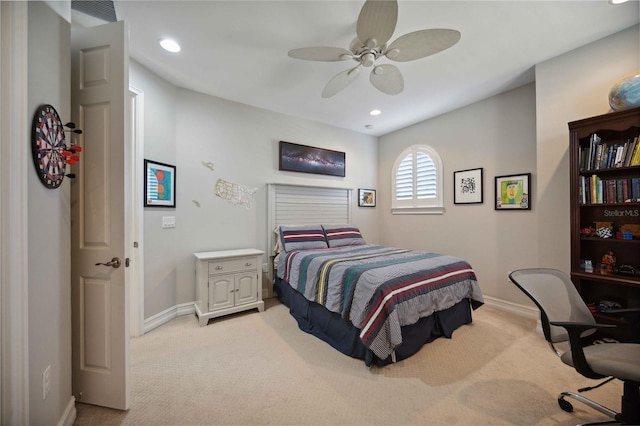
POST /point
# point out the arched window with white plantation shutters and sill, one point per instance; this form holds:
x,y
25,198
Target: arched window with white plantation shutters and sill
x,y
417,182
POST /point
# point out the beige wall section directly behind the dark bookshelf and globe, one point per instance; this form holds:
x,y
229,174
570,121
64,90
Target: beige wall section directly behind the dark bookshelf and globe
x,y
571,87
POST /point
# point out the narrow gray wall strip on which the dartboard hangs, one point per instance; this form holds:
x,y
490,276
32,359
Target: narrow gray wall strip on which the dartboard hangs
x,y
49,258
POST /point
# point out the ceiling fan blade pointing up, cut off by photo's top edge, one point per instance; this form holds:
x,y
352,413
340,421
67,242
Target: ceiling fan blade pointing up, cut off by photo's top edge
x,y
377,22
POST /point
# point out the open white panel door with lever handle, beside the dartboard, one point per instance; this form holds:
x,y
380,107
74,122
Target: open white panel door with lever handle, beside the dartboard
x,y
99,293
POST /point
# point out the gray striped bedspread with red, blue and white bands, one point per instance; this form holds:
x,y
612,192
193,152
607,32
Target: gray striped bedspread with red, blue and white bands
x,y
380,289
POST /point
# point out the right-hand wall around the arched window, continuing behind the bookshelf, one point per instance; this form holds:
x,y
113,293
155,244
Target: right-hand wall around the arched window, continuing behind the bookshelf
x,y
524,130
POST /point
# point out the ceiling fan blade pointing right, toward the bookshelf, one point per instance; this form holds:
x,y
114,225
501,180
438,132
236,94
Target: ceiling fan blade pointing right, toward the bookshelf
x,y
423,43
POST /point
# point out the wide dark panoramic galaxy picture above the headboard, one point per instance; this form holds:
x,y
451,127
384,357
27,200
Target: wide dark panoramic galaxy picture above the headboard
x,y
307,159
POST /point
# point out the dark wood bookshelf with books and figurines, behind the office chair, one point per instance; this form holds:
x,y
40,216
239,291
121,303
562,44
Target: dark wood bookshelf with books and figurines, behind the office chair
x,y
611,128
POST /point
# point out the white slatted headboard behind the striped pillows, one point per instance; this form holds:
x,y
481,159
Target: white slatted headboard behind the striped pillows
x,y
305,205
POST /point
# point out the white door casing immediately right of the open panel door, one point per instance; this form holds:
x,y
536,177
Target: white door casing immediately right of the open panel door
x,y
136,291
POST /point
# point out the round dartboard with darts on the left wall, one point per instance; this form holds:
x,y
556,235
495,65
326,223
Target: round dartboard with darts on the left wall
x,y
48,146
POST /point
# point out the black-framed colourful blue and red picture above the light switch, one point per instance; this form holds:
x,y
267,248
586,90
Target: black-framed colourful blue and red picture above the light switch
x,y
159,184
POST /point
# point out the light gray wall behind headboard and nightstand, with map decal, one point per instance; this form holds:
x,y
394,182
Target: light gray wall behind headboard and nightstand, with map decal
x,y
242,143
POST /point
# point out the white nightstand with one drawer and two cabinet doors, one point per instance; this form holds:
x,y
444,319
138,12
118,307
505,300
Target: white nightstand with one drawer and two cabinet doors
x,y
227,281
